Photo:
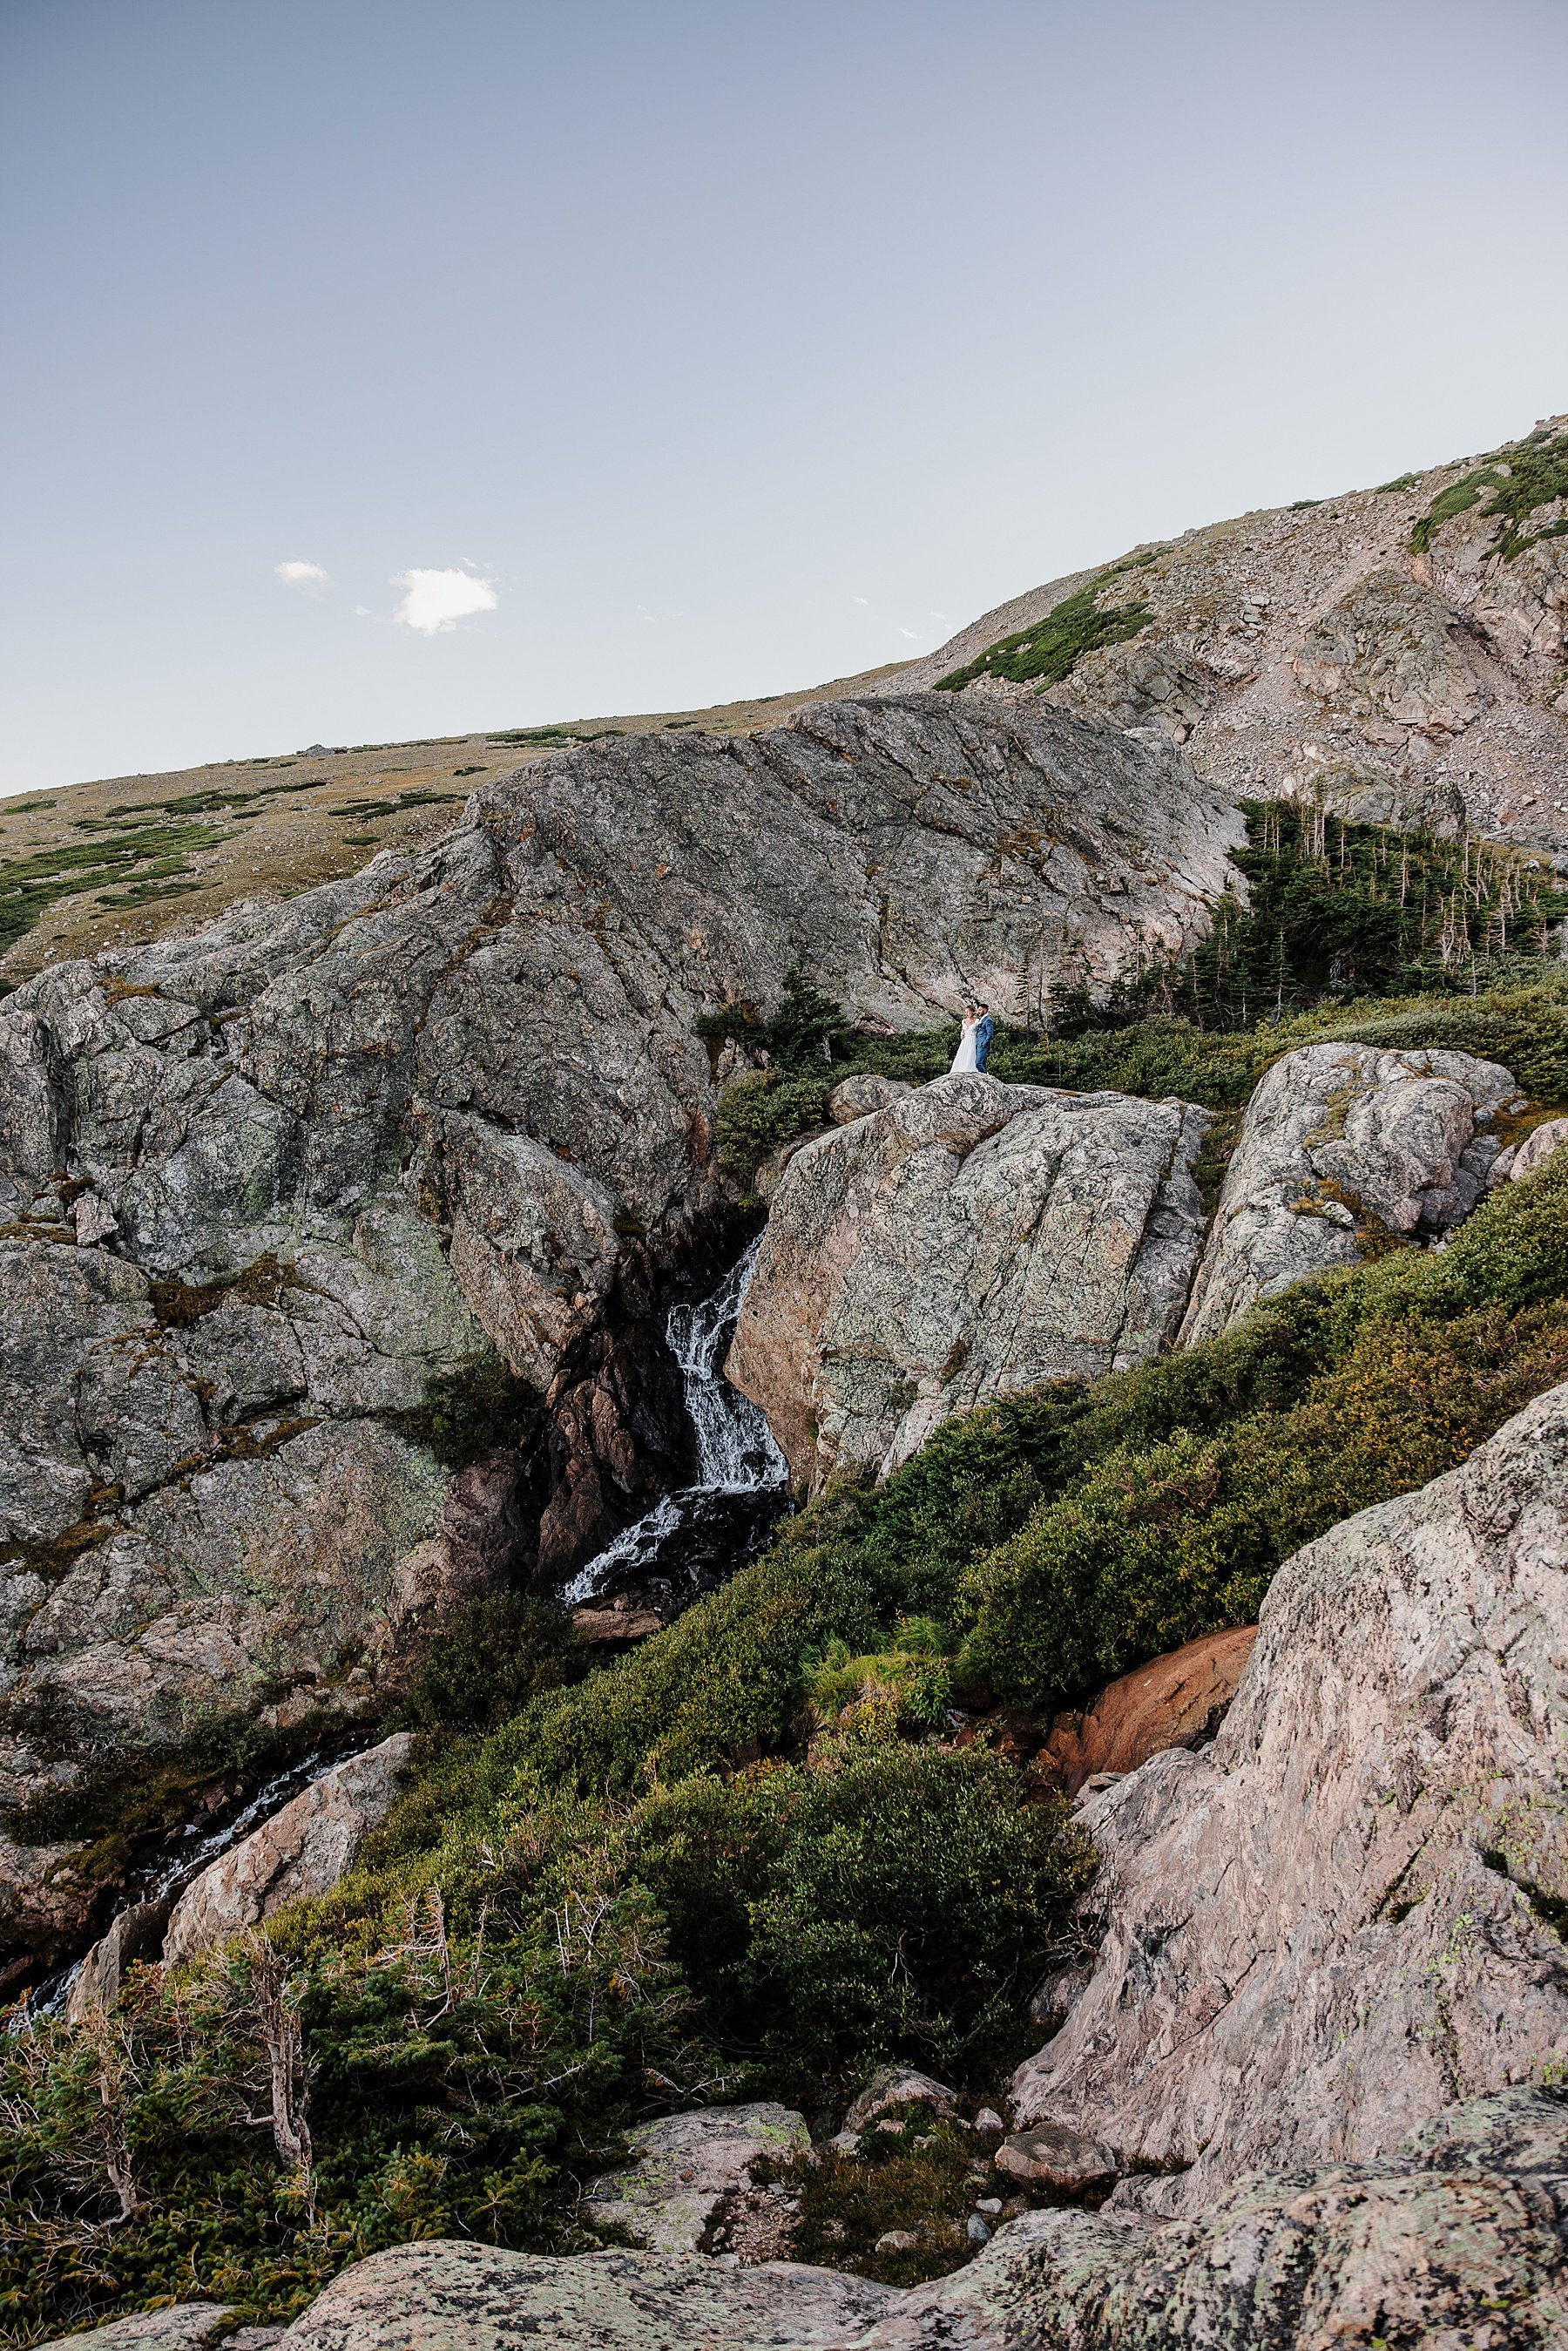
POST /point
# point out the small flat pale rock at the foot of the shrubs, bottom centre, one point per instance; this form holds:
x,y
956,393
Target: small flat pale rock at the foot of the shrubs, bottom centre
x,y
690,2164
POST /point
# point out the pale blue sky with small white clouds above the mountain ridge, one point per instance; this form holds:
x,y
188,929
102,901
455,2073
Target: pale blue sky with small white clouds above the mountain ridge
x,y
389,370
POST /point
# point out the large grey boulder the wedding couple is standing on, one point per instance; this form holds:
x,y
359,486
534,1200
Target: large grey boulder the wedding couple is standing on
x,y
965,1243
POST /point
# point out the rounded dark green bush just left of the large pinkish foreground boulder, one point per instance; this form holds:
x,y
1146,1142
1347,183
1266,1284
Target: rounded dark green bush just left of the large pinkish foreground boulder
x,y
894,1905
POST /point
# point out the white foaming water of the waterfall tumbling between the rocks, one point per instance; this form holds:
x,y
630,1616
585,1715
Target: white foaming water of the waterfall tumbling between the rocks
x,y
735,1445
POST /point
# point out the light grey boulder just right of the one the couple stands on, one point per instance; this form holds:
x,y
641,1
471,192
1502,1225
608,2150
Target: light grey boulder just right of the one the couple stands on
x,y
1341,1141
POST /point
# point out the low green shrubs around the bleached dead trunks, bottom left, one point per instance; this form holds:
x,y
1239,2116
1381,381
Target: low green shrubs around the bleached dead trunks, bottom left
x,y
453,2079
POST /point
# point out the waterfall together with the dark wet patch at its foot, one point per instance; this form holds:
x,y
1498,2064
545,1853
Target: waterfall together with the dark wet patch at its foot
x,y
690,1536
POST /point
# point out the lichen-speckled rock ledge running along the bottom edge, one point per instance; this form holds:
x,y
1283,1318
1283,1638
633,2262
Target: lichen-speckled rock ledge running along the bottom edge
x,y
1461,2237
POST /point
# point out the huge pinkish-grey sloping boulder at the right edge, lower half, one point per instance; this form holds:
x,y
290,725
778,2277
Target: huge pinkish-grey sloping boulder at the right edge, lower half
x,y
1351,1908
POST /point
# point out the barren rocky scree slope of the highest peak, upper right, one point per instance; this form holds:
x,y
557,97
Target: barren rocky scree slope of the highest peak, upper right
x,y
1395,655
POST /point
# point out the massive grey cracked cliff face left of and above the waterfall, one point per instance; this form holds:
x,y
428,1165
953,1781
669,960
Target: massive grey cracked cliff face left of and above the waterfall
x,y
267,1188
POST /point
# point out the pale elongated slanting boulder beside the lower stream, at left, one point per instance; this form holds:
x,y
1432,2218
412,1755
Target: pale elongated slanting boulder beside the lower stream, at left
x,y
297,1854
